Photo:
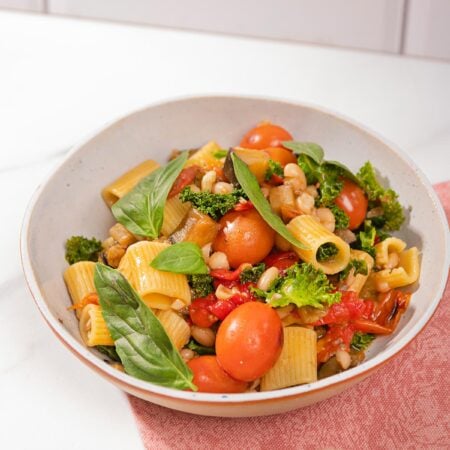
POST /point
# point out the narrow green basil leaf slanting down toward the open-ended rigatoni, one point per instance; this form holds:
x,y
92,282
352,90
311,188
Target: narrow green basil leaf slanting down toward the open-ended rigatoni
x,y
250,185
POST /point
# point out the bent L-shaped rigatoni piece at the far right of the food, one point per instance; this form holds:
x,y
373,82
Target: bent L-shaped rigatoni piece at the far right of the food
x,y
406,273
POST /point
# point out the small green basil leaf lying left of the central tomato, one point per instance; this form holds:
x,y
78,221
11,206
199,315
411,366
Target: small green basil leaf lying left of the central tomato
x,y
184,257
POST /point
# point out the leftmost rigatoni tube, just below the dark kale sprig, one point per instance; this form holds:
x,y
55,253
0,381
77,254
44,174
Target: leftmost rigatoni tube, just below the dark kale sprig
x,y
79,278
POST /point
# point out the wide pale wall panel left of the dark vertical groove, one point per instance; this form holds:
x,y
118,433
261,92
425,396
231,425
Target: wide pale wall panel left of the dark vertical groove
x,y
364,24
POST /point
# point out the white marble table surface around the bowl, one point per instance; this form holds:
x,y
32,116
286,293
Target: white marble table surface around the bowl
x,y
61,79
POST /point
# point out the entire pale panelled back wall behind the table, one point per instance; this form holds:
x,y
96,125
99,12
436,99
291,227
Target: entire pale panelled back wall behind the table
x,y
412,27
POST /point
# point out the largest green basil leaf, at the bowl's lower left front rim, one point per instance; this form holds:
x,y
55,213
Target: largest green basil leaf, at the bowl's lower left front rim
x,y
141,342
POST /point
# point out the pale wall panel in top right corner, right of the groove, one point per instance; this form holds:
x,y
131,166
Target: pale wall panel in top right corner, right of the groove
x,y
428,28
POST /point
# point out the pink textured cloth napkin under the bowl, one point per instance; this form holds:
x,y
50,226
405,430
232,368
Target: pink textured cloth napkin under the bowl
x,y
405,404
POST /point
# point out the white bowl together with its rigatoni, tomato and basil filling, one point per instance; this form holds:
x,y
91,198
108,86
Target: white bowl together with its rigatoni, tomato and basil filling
x,y
247,275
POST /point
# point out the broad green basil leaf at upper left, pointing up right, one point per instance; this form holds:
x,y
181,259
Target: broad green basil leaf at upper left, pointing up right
x,y
141,211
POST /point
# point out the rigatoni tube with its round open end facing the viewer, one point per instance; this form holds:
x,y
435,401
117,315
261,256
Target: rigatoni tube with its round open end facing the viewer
x,y
310,232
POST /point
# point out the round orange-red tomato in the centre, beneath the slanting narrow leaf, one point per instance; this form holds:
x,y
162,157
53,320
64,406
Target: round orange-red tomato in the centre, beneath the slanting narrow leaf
x,y
244,237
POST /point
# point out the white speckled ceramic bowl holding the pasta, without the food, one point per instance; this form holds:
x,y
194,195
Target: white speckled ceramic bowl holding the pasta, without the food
x,y
69,203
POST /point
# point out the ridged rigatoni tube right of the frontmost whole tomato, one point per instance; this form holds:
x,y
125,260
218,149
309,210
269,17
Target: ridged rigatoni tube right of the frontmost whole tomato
x,y
297,363
